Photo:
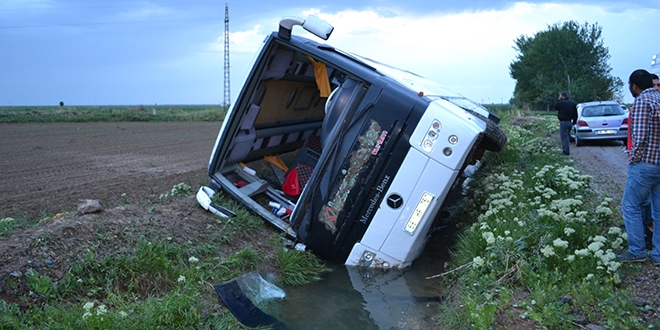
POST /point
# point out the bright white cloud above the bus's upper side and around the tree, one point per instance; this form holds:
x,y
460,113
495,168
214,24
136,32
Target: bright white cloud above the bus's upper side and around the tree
x,y
470,51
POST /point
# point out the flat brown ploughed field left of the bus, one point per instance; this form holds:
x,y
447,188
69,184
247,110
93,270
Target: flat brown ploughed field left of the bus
x,y
51,166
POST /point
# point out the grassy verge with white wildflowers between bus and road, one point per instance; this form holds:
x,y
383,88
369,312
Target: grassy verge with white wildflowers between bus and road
x,y
541,247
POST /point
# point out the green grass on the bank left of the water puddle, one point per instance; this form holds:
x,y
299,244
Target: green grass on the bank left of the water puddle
x,y
154,283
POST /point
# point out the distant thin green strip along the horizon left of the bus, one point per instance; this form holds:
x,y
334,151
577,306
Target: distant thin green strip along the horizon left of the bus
x,y
47,114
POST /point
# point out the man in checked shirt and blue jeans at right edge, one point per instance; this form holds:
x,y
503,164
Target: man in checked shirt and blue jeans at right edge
x,y
643,168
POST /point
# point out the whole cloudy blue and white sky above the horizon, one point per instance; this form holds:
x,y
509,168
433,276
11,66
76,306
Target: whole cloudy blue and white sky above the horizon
x,y
123,52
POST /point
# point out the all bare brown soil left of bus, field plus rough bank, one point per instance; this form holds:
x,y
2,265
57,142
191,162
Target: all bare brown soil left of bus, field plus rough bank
x,y
48,168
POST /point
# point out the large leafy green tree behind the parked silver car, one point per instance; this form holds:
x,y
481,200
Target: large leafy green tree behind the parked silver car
x,y
566,57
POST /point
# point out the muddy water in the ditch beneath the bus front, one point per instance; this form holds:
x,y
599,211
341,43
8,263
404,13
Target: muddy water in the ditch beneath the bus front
x,y
354,298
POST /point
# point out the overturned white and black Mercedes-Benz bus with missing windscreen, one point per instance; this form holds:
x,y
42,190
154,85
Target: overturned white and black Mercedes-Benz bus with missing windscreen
x,y
350,157
